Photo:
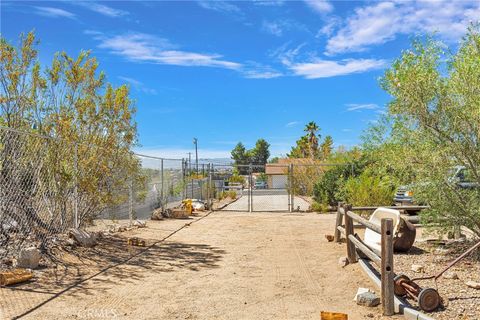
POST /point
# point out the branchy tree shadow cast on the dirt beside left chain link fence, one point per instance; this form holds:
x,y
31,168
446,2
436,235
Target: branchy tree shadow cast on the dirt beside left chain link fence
x,y
93,271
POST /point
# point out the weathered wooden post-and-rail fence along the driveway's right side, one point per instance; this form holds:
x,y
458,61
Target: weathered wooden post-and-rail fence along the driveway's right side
x,y
383,259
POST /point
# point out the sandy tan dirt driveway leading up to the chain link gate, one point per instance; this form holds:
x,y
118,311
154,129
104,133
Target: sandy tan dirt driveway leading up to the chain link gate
x,y
224,266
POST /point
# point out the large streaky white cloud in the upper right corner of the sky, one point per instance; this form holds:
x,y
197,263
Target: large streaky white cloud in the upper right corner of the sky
x,y
379,22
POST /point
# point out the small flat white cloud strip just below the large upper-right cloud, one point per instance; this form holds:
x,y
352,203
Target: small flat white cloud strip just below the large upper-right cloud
x,y
319,68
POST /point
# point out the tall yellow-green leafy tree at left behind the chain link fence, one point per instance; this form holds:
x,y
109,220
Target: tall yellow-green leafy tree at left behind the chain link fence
x,y
70,102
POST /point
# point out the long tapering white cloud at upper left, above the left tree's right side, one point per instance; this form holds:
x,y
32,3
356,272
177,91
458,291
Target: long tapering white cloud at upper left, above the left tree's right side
x,y
141,47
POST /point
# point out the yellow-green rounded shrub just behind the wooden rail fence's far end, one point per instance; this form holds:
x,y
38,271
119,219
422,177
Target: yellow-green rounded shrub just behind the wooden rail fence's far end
x,y
369,189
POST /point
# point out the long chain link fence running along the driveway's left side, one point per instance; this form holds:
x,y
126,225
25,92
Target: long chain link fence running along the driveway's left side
x,y
49,185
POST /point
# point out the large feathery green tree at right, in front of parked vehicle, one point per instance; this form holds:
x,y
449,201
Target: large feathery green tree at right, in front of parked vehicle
x,y
435,113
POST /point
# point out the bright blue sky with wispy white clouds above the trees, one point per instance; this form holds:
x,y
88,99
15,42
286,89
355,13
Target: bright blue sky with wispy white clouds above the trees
x,y
227,71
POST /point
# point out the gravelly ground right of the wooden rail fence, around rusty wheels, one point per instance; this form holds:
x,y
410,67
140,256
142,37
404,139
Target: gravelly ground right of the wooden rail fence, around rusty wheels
x,y
461,301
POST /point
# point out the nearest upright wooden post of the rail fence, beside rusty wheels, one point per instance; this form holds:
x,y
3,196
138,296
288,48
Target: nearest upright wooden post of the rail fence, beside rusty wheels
x,y
388,304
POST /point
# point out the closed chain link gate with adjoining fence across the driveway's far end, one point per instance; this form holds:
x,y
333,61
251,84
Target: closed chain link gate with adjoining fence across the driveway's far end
x,y
279,187
